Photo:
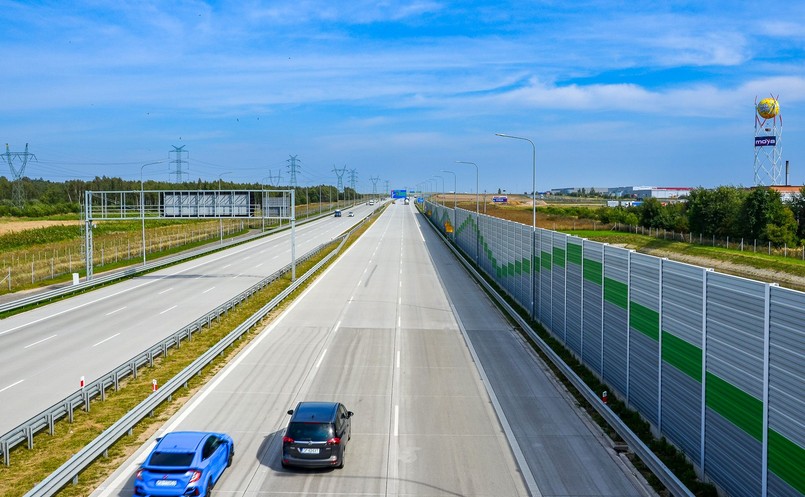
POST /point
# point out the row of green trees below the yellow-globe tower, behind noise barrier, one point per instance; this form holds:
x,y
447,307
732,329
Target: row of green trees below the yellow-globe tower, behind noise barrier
x,y
726,211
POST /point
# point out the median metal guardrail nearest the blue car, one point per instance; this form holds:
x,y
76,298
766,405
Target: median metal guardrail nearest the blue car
x,y
70,470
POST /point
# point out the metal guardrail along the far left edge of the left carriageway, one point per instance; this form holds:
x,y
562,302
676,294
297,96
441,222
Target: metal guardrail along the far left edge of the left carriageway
x,y
131,271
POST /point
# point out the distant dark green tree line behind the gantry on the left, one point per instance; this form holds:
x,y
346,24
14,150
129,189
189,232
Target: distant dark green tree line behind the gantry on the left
x,y
49,198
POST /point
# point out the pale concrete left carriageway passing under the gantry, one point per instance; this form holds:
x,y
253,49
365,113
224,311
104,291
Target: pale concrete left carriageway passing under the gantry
x,y
45,351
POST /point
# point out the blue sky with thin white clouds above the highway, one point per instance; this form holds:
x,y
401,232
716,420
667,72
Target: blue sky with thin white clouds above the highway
x,y
611,93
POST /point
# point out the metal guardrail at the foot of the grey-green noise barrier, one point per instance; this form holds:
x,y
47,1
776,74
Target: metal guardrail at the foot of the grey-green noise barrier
x,y
649,458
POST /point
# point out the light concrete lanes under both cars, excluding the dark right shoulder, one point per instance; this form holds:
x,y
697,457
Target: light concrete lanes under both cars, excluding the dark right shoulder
x,y
423,424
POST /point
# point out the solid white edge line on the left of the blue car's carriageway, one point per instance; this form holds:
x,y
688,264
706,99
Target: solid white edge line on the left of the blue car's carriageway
x,y
196,400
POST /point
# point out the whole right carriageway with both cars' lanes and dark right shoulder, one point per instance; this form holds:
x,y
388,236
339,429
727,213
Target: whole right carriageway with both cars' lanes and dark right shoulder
x,y
448,400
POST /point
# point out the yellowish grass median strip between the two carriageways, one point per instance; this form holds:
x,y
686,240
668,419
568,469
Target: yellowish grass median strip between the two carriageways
x,y
49,452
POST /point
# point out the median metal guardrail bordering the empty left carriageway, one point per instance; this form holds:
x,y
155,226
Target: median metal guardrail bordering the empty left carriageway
x,y
97,388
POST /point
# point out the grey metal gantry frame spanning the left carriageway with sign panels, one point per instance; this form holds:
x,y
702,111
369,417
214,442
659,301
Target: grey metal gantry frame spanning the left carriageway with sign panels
x,y
131,205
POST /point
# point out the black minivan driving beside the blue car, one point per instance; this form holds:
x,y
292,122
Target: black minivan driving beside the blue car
x,y
317,435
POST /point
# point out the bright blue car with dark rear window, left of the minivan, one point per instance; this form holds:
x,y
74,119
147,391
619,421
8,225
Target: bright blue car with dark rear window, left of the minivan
x,y
185,463
